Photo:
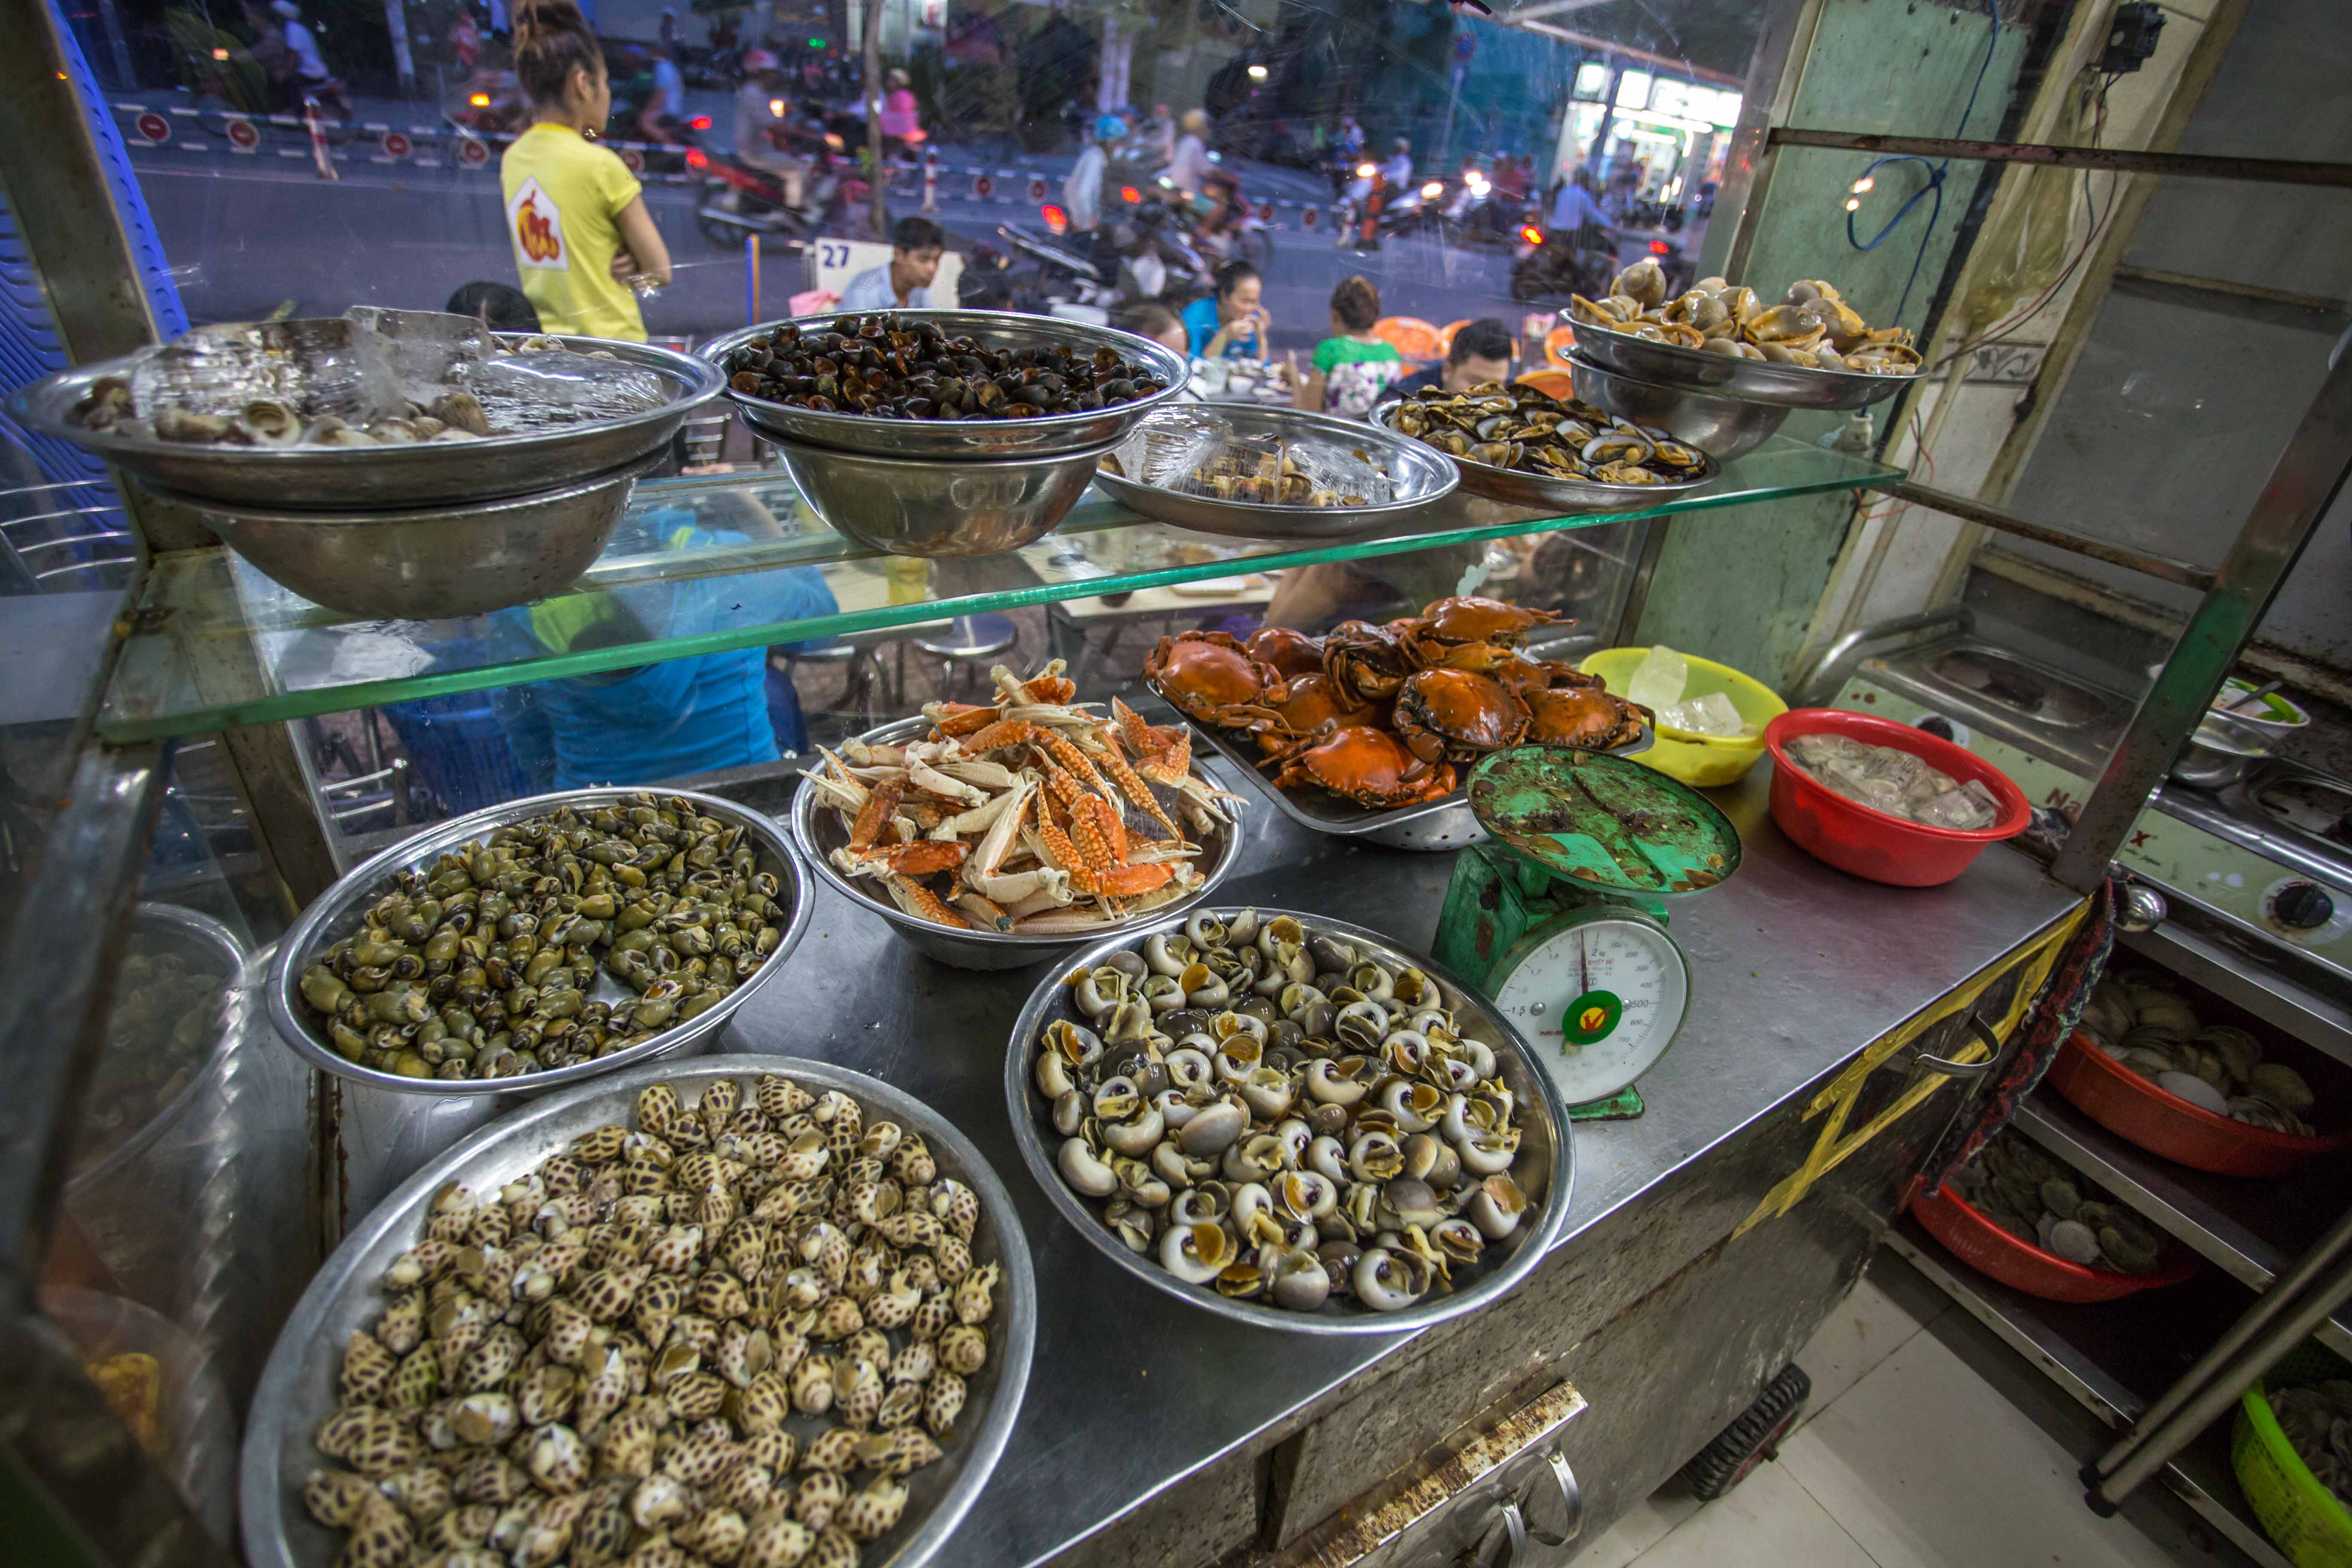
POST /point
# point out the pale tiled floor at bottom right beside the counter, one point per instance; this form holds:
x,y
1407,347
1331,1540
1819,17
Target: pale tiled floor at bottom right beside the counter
x,y
1909,1459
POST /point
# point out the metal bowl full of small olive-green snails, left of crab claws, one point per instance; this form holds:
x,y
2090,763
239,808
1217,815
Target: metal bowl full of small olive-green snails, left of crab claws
x,y
347,909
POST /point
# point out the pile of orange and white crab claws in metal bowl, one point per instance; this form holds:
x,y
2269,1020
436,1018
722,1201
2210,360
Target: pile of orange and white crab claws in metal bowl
x,y
1029,815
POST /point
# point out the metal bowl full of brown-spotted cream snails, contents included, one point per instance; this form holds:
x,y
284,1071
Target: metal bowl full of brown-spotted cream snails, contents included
x,y
632,1447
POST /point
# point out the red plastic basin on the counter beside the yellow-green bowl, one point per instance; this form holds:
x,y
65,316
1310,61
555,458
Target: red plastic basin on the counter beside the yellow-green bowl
x,y
1864,840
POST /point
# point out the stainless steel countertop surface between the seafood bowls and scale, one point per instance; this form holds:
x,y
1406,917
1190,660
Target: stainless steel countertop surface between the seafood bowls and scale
x,y
1798,967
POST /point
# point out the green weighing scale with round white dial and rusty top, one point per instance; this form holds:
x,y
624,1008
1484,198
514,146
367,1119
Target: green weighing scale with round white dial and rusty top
x,y
1561,916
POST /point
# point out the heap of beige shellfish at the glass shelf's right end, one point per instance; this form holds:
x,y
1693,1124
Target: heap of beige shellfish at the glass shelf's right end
x,y
1812,326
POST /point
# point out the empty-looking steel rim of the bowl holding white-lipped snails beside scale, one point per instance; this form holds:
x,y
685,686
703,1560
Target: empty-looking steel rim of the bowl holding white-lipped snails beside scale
x,y
1546,1167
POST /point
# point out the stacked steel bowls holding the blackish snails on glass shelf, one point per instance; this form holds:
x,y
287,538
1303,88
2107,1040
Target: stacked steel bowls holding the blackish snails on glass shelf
x,y
951,488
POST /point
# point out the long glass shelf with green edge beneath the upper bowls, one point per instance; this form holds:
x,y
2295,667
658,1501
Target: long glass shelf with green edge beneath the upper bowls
x,y
737,561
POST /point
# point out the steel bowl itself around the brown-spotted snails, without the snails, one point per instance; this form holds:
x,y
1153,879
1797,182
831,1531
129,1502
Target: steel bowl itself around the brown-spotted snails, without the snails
x,y
298,1386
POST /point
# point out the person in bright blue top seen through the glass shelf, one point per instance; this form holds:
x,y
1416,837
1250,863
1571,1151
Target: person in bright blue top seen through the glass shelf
x,y
671,718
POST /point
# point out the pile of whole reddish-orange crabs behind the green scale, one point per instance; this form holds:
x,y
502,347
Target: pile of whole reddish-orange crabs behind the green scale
x,y
1382,713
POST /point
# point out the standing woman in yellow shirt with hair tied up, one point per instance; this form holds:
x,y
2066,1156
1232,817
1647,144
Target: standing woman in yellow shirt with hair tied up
x,y
573,210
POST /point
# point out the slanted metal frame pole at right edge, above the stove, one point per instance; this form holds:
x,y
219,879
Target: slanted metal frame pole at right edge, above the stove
x,y
2297,495
